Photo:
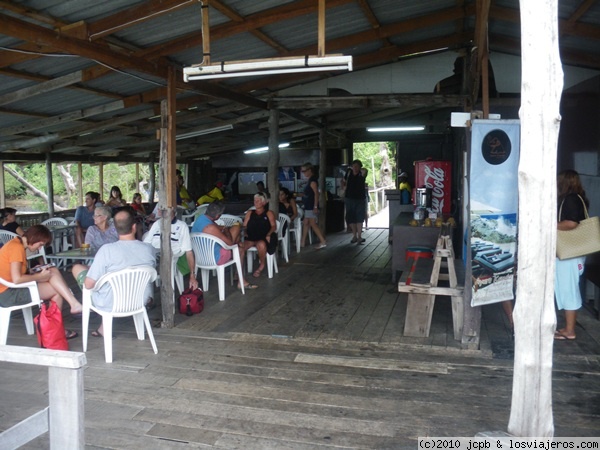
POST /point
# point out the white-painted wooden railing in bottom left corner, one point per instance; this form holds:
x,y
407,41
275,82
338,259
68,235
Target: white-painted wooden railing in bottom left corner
x,y
64,416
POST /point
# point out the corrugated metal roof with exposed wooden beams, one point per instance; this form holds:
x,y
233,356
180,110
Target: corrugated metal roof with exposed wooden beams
x,y
375,32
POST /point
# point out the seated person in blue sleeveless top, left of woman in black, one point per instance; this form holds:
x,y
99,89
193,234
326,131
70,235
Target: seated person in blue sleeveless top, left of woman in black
x,y
229,235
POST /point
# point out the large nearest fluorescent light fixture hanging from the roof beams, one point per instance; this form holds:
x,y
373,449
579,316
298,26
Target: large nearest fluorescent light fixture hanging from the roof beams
x,y
268,67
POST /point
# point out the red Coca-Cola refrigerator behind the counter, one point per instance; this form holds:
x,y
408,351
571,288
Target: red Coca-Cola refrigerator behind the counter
x,y
436,175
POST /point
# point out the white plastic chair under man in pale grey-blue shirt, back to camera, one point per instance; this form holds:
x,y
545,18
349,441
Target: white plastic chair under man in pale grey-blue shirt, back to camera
x,y
128,286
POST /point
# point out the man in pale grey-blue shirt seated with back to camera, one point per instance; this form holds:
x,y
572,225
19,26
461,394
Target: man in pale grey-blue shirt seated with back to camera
x,y
126,252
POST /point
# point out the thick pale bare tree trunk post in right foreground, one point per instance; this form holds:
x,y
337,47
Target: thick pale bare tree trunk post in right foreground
x,y
535,320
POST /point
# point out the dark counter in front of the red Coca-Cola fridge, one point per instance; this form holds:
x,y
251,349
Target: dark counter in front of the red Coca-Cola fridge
x,y
403,236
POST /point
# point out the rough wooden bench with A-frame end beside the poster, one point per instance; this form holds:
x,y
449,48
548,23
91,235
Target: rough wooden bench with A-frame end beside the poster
x,y
421,283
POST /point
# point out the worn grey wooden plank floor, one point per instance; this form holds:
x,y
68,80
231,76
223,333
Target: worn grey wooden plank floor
x,y
314,358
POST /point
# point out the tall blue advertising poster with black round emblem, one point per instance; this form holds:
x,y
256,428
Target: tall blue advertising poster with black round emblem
x,y
493,209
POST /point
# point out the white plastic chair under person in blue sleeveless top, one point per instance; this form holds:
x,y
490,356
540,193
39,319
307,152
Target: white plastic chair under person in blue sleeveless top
x,y
204,252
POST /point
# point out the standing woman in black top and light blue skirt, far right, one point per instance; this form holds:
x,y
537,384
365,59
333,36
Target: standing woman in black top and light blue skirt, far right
x,y
571,199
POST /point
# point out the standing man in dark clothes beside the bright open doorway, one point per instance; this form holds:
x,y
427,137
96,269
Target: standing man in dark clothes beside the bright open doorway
x,y
354,184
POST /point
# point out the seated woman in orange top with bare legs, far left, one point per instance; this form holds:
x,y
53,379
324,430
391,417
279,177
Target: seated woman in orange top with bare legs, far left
x,y
50,282
